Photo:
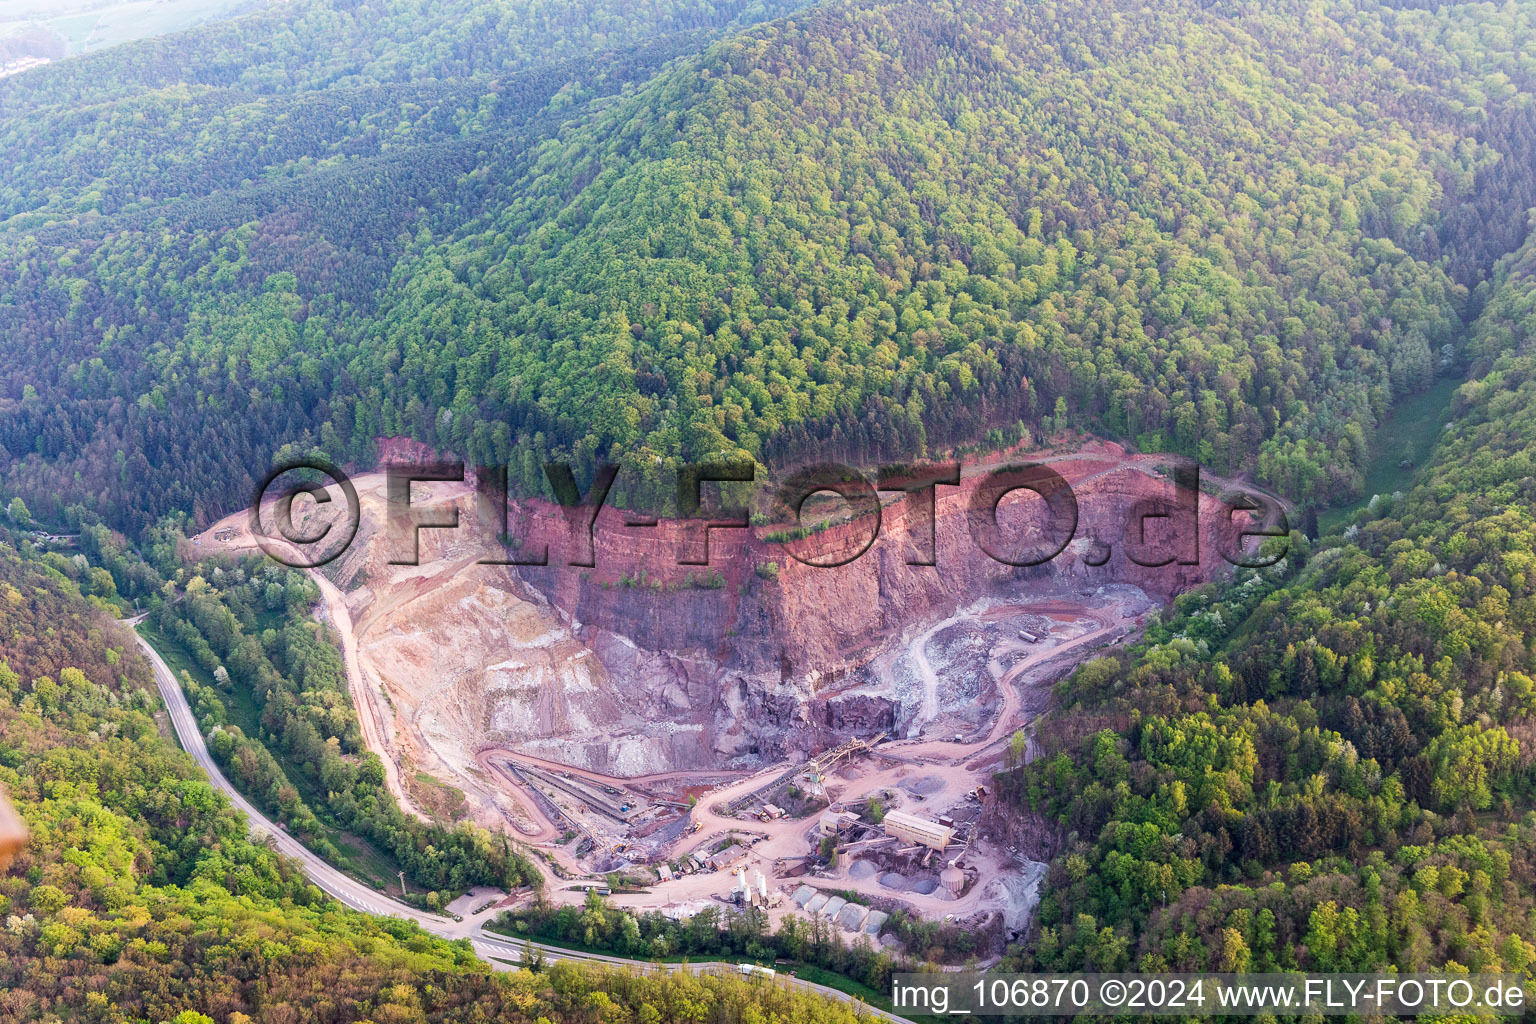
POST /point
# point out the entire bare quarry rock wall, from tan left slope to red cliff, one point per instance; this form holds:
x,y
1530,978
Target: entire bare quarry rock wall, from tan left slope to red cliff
x,y
643,666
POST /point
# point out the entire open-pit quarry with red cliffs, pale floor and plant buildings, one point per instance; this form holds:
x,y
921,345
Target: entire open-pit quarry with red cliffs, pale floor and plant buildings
x,y
812,742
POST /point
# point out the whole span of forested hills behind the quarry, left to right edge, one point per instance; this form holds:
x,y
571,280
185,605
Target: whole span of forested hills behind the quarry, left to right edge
x,y
861,231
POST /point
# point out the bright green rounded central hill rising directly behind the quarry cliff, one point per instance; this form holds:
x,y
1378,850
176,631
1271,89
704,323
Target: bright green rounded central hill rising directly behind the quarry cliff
x,y
879,230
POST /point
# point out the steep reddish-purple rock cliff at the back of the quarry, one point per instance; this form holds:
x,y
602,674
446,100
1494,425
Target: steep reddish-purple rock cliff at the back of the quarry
x,y
738,662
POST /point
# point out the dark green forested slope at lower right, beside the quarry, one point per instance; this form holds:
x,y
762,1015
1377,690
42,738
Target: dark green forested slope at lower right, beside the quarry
x,y
1328,767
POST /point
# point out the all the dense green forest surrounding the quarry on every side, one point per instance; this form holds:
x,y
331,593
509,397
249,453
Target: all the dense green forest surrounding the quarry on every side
x,y
862,231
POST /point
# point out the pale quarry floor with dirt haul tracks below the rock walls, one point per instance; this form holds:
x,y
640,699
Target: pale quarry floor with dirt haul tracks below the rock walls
x,y
929,771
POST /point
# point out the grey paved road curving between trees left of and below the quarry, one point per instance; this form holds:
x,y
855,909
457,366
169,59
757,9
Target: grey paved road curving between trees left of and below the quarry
x,y
492,948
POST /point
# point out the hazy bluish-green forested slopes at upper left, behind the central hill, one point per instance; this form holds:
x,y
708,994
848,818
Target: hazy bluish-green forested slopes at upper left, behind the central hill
x,y
194,228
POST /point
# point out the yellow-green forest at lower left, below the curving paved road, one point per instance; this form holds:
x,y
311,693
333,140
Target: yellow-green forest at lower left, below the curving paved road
x,y
142,899
